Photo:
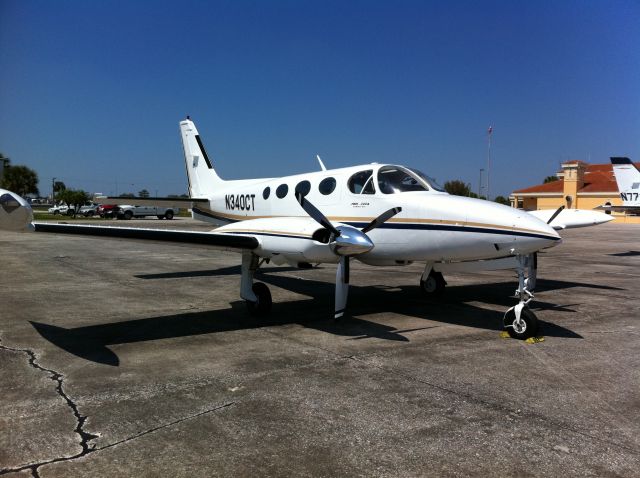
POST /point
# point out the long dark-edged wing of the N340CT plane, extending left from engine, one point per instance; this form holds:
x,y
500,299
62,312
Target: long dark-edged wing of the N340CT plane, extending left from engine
x,y
219,241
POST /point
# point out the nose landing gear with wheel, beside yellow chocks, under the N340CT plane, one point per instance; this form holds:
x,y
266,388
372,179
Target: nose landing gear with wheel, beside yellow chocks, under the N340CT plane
x,y
519,321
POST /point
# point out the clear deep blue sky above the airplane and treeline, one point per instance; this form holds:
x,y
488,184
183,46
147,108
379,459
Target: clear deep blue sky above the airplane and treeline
x,y
92,92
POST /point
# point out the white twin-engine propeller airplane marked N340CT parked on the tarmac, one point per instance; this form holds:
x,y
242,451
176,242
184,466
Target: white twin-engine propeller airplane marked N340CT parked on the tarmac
x,y
379,214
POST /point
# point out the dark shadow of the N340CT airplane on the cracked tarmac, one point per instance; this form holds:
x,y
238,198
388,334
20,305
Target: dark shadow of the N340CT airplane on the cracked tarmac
x,y
91,342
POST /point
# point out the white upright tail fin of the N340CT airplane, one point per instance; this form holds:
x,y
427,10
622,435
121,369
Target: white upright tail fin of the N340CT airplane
x,y
203,179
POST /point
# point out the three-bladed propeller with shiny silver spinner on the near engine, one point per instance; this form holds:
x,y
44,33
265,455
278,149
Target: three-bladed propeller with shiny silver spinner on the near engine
x,y
345,241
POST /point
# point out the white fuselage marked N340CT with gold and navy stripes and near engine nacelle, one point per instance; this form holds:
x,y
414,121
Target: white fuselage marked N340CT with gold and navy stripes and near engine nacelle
x,y
432,226
